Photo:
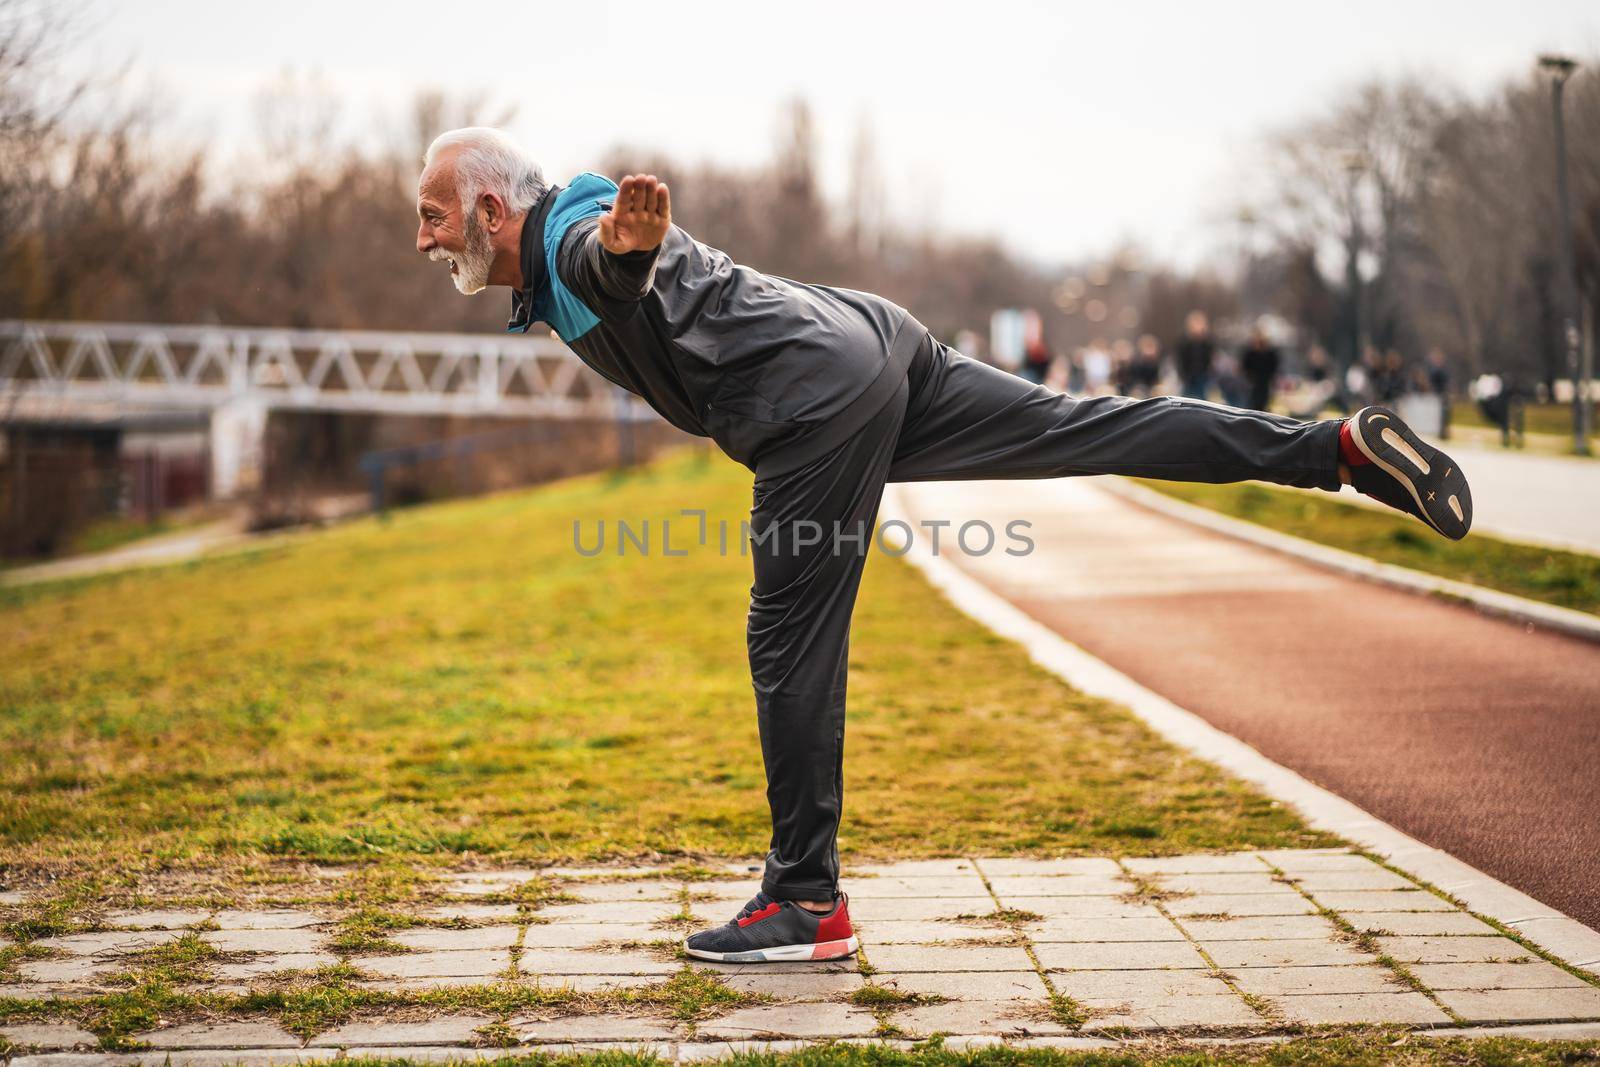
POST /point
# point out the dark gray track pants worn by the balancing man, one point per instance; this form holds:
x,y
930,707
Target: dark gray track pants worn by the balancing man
x,y
953,418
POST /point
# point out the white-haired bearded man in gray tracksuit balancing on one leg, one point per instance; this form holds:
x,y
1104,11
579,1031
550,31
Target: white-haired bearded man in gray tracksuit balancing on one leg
x,y
828,394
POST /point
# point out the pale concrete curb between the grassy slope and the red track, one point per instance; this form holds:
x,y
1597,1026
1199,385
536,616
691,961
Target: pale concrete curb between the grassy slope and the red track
x,y
1559,935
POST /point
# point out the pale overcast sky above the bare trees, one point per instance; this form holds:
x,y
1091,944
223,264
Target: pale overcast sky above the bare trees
x,y
1058,127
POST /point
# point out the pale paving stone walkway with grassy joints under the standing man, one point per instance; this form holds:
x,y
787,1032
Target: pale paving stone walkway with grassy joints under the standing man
x,y
1071,953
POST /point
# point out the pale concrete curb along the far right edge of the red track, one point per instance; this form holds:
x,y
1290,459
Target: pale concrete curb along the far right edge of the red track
x,y
1487,601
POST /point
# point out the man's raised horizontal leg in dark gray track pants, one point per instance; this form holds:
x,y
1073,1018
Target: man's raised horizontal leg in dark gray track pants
x,y
969,420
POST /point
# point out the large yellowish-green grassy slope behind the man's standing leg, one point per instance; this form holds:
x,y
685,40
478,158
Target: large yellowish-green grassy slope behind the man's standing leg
x,y
460,681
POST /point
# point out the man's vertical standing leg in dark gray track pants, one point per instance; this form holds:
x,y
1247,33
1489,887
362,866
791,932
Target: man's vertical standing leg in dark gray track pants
x,y
810,535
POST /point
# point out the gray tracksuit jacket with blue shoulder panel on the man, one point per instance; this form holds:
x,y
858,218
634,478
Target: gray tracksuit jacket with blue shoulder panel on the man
x,y
775,372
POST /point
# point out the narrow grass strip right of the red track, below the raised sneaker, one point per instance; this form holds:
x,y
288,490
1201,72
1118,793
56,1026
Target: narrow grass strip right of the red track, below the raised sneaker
x,y
1569,580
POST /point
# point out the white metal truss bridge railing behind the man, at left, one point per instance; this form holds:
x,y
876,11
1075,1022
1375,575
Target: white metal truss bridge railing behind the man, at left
x,y
62,366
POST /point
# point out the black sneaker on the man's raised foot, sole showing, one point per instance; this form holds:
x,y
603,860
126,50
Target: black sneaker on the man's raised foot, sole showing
x,y
1409,474
